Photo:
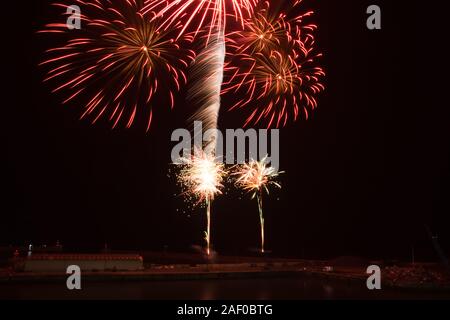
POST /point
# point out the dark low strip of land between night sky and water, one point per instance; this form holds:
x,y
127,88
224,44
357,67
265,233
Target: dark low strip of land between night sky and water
x,y
185,266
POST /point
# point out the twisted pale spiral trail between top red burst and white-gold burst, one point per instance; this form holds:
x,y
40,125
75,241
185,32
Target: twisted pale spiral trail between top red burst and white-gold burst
x,y
206,83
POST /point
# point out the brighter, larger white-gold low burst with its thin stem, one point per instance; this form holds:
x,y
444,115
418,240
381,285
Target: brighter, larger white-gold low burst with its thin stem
x,y
202,176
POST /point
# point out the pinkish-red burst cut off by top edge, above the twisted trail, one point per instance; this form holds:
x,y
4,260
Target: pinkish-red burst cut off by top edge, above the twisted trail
x,y
196,14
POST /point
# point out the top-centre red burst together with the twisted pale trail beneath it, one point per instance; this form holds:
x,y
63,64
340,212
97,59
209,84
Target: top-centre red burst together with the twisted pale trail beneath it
x,y
200,17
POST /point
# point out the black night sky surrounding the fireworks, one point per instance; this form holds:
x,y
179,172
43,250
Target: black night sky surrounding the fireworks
x,y
363,175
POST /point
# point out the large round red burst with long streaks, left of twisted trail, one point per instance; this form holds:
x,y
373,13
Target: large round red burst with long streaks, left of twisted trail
x,y
118,63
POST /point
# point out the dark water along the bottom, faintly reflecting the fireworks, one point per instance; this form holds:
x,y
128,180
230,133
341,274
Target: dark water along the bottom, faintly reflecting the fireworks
x,y
297,288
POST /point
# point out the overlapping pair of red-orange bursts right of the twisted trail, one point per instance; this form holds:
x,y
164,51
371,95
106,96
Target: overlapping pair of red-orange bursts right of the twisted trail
x,y
274,65
